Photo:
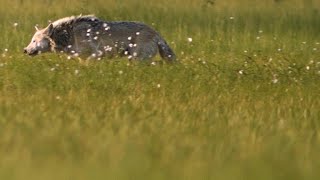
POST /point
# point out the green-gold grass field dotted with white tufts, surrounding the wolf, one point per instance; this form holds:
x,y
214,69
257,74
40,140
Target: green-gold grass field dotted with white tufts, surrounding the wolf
x,y
242,103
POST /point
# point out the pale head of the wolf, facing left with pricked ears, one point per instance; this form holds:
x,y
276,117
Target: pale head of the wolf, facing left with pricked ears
x,y
40,42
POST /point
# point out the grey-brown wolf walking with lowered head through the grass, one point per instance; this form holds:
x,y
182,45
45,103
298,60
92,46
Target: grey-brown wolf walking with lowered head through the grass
x,y
89,37
